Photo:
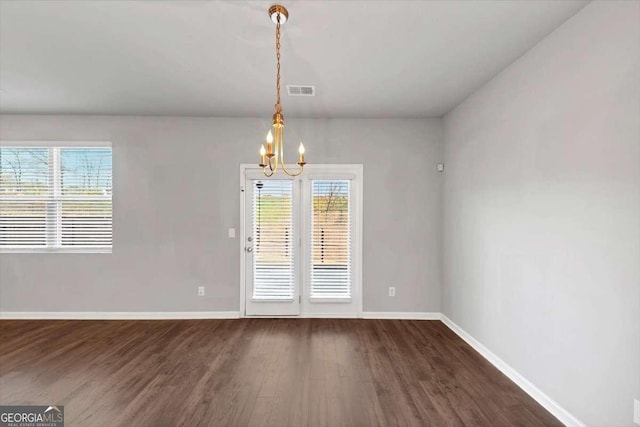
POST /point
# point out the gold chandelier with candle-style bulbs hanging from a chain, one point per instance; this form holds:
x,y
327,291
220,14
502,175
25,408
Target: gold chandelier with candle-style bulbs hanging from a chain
x,y
274,153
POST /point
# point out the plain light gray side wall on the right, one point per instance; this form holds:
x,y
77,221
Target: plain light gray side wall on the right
x,y
542,210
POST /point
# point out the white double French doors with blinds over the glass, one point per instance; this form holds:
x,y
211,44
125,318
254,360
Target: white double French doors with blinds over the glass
x,y
301,242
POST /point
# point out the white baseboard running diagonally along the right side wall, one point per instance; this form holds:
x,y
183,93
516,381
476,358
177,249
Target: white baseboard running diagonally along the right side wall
x,y
549,404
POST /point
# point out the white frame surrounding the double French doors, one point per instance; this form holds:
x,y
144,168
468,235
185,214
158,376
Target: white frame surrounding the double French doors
x,y
355,169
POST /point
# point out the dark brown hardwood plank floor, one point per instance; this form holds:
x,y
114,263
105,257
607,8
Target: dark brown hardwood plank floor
x,y
258,372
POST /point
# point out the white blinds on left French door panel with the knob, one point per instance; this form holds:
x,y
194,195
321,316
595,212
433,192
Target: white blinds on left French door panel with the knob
x,y
272,211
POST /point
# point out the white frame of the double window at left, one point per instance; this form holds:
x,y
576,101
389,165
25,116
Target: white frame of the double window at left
x,y
55,195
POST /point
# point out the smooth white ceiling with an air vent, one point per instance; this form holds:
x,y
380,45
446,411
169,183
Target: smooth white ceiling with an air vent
x,y
366,59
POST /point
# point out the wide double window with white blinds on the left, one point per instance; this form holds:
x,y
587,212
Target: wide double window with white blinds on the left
x,y
55,198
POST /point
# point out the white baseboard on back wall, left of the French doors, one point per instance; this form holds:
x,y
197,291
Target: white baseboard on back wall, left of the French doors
x,y
117,315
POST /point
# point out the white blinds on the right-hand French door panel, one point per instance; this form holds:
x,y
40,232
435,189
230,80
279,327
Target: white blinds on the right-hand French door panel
x,y
330,239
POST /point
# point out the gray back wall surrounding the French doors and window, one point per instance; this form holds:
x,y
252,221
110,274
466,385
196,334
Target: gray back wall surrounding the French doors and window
x,y
176,192
